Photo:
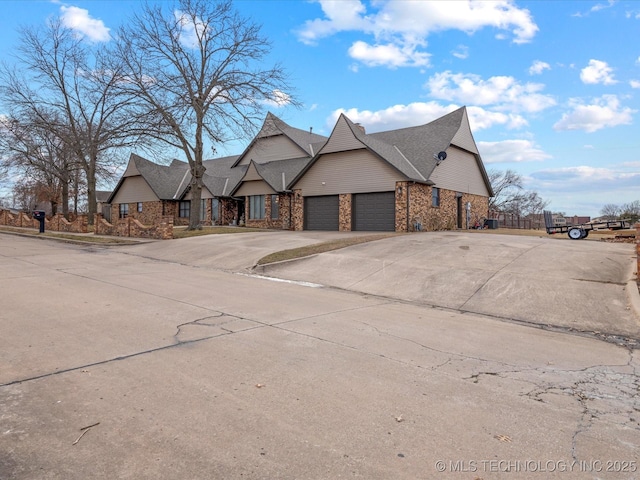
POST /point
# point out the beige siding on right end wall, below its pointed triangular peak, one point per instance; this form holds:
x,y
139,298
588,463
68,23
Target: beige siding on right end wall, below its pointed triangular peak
x,y
459,172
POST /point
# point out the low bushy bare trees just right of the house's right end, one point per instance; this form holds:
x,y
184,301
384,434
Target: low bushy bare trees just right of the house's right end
x,y
510,195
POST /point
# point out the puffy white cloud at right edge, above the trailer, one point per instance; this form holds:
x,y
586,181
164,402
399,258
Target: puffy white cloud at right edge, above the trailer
x,y
602,112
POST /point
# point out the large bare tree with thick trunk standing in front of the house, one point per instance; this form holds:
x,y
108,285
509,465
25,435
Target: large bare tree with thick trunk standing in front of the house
x,y
197,72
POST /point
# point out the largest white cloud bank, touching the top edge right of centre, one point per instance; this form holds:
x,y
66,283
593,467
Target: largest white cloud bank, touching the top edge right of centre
x,y
404,26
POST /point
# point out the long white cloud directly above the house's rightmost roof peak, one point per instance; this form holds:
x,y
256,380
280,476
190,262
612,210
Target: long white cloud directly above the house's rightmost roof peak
x,y
501,91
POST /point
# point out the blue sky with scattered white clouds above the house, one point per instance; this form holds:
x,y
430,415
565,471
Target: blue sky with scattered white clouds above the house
x,y
552,88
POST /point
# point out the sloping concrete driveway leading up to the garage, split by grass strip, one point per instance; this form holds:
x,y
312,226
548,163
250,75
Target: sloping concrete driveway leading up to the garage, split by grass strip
x,y
582,286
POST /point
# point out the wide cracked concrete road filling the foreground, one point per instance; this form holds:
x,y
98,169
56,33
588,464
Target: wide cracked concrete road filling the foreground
x,y
201,373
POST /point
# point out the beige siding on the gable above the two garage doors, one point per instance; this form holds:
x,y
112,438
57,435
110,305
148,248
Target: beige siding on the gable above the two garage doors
x,y
356,171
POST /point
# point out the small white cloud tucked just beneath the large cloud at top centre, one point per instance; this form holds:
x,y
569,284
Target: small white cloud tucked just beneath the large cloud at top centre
x,y
390,55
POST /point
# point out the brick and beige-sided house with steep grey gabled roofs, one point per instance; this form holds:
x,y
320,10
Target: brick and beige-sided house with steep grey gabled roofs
x,y
427,177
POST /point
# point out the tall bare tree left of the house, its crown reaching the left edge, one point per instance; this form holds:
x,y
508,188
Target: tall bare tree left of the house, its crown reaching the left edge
x,y
61,84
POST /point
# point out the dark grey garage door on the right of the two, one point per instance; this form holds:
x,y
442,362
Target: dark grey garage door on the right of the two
x,y
374,212
